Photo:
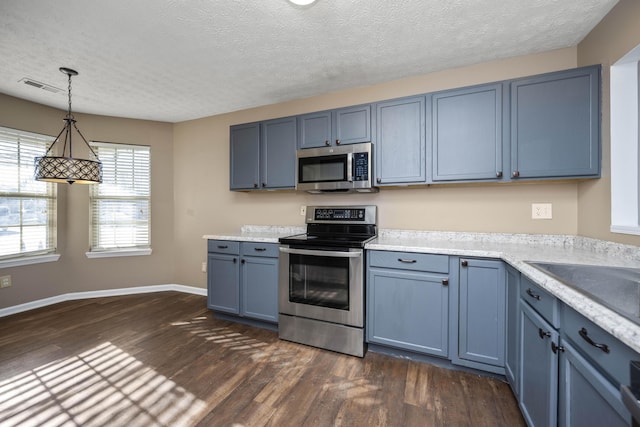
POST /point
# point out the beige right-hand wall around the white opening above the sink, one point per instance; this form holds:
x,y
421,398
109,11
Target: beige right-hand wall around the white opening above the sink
x,y
613,37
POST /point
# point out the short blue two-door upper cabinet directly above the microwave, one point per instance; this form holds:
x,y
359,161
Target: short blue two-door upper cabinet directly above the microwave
x,y
342,126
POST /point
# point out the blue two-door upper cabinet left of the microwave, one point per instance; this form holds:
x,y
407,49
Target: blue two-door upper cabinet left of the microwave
x,y
263,155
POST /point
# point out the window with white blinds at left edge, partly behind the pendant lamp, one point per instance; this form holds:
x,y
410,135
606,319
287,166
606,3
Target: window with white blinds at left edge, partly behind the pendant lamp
x,y
27,206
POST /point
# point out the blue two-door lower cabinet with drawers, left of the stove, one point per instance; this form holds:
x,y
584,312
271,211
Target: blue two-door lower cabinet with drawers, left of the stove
x,y
242,279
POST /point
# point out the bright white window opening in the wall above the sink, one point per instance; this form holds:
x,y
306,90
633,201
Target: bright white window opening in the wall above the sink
x,y
625,144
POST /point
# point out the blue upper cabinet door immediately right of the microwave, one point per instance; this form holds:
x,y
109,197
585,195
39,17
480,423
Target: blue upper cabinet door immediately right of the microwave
x,y
400,141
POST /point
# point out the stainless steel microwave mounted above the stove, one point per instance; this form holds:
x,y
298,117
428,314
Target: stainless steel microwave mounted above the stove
x,y
343,168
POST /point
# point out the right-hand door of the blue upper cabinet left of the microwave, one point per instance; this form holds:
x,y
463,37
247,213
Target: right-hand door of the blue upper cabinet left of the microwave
x,y
278,153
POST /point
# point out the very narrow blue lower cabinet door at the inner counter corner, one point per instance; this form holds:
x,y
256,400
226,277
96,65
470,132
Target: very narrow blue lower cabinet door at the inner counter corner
x,y
513,337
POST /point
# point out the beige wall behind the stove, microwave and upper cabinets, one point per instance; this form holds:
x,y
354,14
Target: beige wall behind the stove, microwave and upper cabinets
x,y
204,204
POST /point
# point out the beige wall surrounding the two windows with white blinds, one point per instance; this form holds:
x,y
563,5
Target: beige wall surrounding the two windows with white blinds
x,y
74,272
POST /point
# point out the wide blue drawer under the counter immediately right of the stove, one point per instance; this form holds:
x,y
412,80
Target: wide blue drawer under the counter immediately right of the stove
x,y
409,261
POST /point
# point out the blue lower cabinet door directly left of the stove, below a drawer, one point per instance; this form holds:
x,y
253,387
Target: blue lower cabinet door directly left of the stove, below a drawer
x,y
260,288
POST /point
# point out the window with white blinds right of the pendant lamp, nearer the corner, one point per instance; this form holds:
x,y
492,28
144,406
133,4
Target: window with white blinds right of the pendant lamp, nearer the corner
x,y
120,206
